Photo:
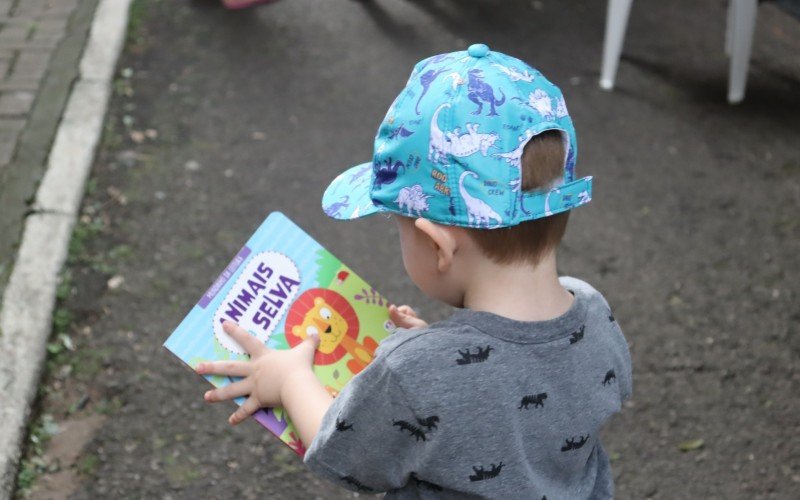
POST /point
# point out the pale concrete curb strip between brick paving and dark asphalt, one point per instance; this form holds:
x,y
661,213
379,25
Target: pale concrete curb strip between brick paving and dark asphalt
x,y
29,298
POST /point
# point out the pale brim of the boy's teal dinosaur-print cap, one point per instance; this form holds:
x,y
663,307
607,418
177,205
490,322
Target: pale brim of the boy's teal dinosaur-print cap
x,y
348,196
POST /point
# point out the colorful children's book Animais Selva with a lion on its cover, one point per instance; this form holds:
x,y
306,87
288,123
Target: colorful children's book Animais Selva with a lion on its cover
x,y
280,286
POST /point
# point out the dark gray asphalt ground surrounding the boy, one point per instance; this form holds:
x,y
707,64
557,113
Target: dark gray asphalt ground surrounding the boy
x,y
220,118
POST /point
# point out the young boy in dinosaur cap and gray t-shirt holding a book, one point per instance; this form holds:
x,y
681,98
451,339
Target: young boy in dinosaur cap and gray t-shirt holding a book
x,y
475,161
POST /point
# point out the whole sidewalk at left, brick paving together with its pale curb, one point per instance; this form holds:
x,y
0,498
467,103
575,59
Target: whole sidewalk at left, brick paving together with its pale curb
x,y
53,95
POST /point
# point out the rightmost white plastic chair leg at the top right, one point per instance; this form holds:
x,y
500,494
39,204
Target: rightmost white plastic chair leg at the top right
x,y
744,23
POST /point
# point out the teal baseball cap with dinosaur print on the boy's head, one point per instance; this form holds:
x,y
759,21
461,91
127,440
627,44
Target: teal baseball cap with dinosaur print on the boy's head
x,y
450,147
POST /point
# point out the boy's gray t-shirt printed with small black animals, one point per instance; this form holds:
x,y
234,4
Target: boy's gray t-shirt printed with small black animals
x,y
480,405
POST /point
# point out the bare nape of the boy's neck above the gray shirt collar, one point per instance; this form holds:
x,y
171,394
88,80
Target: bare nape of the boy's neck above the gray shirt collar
x,y
519,291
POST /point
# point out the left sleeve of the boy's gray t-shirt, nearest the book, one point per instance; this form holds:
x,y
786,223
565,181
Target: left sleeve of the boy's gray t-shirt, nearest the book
x,y
369,439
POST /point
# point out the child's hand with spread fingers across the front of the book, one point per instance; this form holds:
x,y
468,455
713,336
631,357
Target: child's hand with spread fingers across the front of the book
x,y
265,375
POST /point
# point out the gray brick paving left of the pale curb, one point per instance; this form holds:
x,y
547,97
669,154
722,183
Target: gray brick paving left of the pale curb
x,y
40,43
